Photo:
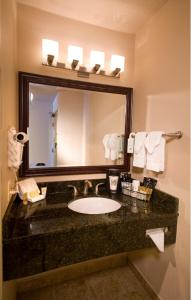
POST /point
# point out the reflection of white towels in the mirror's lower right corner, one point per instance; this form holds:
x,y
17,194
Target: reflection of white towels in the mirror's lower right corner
x,y
113,144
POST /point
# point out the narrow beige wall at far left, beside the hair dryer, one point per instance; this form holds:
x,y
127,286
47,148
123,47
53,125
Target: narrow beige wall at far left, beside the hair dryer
x,y
8,111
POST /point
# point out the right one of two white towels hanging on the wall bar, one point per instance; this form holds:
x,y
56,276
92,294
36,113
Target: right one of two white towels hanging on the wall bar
x,y
155,145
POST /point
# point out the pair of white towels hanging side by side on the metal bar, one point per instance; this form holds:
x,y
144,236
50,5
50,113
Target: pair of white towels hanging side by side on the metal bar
x,y
149,151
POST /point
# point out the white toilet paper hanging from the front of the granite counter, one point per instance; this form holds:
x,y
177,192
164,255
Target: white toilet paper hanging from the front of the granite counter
x,y
157,236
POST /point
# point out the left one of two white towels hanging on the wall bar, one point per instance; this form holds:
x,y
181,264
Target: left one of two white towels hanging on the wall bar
x,y
139,157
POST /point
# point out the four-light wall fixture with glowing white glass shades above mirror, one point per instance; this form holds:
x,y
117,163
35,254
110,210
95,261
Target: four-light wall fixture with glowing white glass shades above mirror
x,y
75,58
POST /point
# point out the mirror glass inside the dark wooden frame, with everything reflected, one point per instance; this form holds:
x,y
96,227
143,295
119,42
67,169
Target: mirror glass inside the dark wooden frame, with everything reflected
x,y
72,127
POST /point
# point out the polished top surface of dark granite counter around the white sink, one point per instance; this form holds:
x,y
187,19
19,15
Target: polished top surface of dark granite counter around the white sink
x,y
52,214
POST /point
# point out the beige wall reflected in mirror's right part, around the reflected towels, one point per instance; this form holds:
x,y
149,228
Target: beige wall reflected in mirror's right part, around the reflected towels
x,y
107,115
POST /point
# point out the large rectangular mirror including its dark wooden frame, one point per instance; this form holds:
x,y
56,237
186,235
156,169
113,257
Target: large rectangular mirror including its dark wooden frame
x,y
74,127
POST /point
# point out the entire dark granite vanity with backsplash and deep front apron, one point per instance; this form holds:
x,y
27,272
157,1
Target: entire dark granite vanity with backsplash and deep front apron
x,y
47,235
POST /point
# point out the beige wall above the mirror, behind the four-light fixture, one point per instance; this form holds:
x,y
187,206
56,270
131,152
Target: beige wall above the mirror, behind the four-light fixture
x,y
34,24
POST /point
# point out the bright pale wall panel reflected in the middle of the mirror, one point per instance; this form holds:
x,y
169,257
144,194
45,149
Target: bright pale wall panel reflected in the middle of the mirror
x,y
69,128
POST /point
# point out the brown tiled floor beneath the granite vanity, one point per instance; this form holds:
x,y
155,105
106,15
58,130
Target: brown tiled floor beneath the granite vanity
x,y
114,284
